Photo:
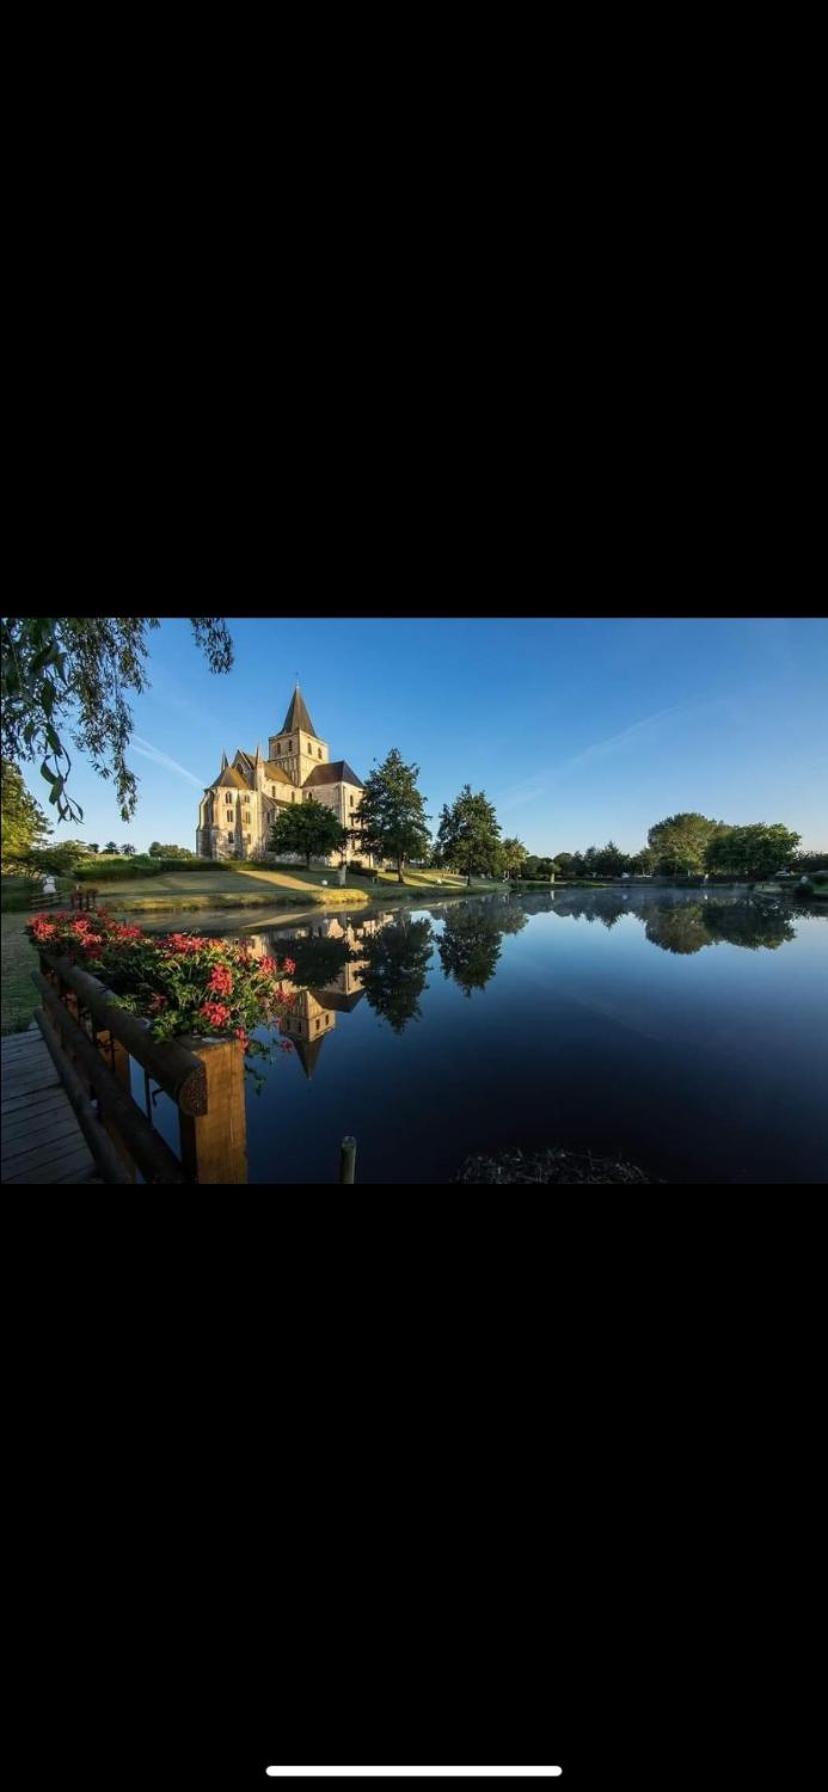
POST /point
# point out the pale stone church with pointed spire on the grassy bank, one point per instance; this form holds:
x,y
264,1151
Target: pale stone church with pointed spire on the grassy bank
x,y
241,806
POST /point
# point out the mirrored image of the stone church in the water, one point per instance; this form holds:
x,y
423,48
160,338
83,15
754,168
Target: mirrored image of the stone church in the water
x,y
316,1010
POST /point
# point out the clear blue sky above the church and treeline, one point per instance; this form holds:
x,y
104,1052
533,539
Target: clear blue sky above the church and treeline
x,y
578,730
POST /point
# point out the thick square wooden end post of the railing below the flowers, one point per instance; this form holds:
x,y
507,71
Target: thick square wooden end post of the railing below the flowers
x,y
214,1146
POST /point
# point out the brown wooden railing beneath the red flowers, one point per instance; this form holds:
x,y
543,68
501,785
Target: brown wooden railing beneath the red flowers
x,y
92,1042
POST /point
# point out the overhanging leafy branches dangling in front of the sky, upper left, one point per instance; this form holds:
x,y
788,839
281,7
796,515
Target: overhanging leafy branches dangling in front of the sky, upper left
x,y
73,675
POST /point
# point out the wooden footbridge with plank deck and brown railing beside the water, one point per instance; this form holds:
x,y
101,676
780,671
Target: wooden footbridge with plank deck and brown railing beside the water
x,y
69,1114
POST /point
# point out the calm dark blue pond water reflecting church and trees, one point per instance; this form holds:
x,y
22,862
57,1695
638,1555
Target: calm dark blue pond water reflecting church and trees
x,y
686,1031
